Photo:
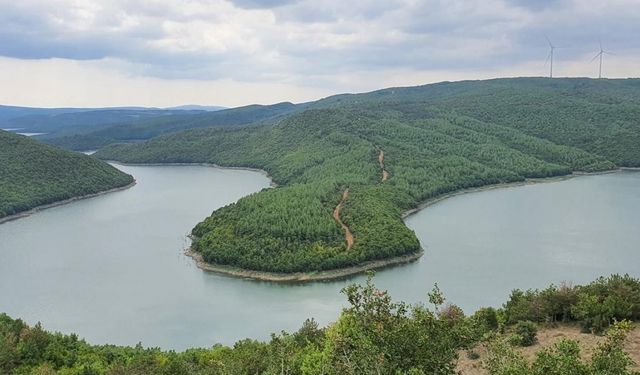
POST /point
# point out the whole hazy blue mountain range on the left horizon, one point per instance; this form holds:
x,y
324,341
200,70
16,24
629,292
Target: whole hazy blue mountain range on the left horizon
x,y
96,128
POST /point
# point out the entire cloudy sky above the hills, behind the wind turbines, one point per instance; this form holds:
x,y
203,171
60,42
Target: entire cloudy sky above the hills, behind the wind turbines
x,y
230,53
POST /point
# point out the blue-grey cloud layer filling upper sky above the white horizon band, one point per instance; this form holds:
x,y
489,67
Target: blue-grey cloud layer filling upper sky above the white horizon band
x,y
316,38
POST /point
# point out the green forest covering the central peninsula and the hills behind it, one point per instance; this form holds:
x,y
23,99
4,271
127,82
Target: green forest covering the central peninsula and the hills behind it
x,y
436,139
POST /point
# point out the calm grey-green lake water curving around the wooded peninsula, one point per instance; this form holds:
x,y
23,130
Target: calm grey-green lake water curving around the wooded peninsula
x,y
111,268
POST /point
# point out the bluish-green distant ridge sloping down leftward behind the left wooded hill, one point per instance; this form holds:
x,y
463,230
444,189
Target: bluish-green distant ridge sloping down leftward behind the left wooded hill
x,y
132,131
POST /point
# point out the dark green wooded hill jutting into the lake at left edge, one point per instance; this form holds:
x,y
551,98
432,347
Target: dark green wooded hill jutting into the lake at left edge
x,y
34,174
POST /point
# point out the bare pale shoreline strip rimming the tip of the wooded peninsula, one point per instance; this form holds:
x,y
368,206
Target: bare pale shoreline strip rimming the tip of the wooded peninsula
x,y
300,277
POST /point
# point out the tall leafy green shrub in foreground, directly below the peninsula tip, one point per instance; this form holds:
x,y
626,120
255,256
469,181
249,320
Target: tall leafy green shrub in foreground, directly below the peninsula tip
x,y
378,336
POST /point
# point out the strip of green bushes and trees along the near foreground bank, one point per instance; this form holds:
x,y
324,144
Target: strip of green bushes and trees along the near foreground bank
x,y
372,335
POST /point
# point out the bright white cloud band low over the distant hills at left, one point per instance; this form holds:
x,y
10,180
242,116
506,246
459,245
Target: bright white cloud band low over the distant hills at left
x,y
60,82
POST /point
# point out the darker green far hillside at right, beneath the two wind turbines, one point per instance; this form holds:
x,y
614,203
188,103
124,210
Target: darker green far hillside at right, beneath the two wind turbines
x,y
598,115
